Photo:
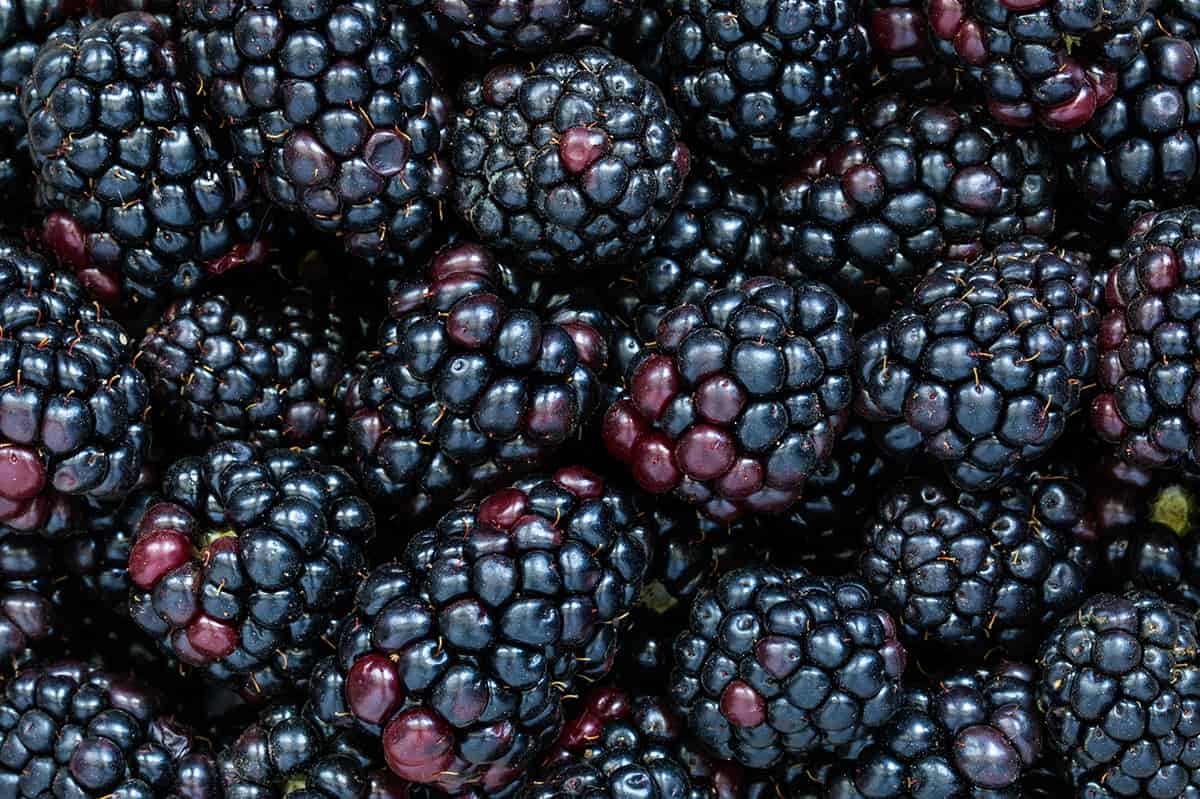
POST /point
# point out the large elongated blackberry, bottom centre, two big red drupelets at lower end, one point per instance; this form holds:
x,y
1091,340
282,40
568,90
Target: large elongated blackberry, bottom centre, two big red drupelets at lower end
x,y
459,656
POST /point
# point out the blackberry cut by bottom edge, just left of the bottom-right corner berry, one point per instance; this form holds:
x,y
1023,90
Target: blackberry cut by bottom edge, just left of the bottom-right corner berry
x,y
974,735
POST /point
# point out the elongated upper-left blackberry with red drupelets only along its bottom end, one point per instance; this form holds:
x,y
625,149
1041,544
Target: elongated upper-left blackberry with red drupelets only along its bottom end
x,y
137,195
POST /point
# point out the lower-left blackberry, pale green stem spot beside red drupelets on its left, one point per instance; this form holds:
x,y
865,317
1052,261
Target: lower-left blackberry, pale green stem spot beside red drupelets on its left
x,y
244,564
